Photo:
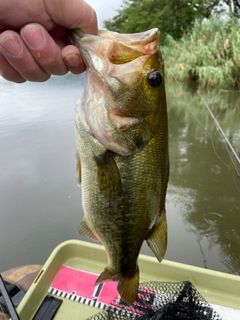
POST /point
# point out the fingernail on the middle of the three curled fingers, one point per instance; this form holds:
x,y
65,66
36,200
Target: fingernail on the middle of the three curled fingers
x,y
33,36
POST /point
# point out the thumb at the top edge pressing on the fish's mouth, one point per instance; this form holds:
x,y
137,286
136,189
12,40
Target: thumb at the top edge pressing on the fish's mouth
x,y
77,15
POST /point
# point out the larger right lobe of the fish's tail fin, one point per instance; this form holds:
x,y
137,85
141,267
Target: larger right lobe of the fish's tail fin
x,y
128,287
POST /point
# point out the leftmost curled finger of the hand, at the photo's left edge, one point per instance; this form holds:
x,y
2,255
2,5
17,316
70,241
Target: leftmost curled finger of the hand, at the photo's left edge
x,y
19,57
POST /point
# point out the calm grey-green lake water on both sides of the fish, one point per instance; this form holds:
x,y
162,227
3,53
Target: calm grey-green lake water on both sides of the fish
x,y
40,203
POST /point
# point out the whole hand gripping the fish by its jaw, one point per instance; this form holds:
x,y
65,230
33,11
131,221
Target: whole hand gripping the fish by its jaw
x,y
33,41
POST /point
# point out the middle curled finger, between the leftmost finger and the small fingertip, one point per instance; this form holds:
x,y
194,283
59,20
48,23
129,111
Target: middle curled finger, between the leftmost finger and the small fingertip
x,y
44,49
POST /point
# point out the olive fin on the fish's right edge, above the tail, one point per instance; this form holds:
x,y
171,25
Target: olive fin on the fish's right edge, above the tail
x,y
157,240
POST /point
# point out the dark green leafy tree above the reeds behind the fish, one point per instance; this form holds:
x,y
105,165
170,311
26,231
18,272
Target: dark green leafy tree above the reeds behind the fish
x,y
172,17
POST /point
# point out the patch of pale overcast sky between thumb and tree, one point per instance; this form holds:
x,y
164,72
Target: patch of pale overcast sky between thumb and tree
x,y
104,9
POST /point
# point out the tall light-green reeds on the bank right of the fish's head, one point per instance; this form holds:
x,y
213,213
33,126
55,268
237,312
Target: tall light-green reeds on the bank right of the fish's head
x,y
210,54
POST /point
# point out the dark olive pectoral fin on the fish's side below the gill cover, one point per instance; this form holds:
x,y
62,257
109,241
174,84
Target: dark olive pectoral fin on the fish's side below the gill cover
x,y
108,175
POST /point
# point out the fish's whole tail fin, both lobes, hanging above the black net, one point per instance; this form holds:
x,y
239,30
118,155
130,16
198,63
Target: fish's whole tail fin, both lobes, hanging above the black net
x,y
127,285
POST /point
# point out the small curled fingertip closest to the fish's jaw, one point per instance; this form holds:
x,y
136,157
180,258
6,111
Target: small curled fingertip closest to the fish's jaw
x,y
73,59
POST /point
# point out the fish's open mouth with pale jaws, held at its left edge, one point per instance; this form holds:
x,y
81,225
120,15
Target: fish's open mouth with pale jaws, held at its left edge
x,y
115,49
